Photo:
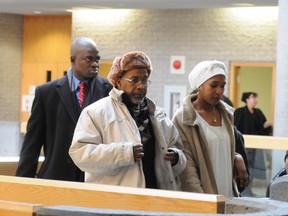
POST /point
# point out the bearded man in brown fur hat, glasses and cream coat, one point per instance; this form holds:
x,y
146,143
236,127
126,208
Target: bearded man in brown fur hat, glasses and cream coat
x,y
124,139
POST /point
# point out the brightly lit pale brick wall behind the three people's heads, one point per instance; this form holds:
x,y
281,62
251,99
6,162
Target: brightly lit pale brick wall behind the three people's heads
x,y
198,34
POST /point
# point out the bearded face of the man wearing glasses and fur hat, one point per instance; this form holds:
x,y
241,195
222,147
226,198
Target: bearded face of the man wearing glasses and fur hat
x,y
134,83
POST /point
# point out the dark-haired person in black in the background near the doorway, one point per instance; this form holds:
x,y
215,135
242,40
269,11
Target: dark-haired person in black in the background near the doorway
x,y
251,120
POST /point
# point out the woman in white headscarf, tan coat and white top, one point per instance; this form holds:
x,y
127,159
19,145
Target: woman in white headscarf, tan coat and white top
x,y
205,124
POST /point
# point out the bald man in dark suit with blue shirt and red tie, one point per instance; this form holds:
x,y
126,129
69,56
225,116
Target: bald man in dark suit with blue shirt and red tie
x,y
55,112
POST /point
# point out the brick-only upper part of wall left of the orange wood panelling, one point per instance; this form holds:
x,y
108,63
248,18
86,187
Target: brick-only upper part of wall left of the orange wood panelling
x,y
10,66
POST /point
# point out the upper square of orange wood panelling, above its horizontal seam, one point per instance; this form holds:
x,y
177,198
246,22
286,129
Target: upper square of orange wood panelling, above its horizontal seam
x,y
46,38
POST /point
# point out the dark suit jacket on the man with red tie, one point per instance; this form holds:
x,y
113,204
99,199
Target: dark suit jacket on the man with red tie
x,y
54,115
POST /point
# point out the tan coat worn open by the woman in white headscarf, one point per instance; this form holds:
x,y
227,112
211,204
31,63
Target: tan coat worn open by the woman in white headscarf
x,y
198,175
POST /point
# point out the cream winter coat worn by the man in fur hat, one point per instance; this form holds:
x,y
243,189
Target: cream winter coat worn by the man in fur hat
x,y
103,139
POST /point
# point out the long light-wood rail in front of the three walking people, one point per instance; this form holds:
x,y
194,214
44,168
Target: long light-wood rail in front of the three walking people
x,y
52,193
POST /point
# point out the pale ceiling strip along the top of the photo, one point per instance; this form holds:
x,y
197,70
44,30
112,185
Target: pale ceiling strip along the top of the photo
x,y
26,7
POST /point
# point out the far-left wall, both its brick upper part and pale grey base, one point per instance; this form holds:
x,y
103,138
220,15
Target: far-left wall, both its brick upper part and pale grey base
x,y
11,26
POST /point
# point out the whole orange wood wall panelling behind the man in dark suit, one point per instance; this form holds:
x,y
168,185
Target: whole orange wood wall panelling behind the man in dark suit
x,y
46,47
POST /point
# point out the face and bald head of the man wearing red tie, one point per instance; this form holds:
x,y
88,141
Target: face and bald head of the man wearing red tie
x,y
85,62
